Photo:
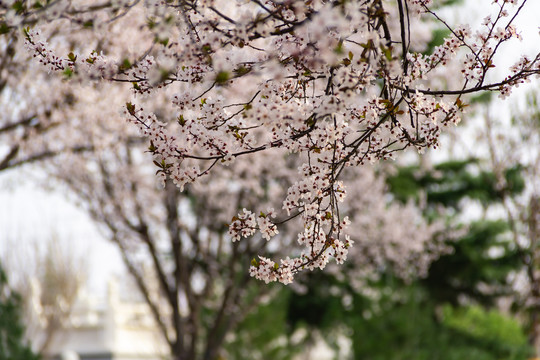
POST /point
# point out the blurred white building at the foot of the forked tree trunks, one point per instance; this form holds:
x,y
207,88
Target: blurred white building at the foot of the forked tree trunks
x,y
119,327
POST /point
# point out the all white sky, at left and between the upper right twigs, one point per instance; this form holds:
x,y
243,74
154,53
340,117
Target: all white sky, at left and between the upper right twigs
x,y
29,214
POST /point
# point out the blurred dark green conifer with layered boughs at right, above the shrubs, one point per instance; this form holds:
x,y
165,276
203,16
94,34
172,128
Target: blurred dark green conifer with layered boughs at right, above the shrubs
x,y
484,255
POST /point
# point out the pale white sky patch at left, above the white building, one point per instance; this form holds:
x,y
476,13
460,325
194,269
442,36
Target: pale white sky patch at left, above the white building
x,y
31,215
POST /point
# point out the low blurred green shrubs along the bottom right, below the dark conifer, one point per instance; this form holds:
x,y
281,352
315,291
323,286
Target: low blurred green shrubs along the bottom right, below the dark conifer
x,y
403,322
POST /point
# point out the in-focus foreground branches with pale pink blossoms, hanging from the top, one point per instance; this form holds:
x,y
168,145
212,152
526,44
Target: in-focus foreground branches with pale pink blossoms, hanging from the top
x,y
337,84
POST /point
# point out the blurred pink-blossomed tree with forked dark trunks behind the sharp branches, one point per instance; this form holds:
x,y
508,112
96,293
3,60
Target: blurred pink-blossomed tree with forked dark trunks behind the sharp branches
x,y
176,244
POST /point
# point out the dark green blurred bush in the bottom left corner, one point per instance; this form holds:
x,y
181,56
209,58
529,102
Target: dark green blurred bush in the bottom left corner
x,y
12,343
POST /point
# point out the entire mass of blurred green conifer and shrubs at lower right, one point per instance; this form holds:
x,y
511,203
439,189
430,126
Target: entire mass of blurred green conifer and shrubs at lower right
x,y
444,316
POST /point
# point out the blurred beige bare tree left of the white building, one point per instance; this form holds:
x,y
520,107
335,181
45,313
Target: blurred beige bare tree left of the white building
x,y
47,276
